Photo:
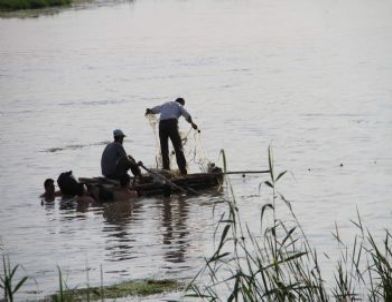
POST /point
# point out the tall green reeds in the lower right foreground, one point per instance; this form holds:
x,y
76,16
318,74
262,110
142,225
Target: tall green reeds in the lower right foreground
x,y
279,263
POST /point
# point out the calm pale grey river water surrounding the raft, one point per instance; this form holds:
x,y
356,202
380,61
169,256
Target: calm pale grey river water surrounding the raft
x,y
311,78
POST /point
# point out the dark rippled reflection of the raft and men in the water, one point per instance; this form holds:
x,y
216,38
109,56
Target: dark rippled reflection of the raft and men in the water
x,y
129,225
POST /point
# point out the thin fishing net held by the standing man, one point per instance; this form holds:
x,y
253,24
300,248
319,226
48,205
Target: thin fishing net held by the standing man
x,y
192,146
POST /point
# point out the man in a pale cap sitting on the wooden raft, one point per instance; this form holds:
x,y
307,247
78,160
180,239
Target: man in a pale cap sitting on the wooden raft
x,y
115,162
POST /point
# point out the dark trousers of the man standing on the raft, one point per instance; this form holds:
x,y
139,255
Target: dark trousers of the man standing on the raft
x,y
169,129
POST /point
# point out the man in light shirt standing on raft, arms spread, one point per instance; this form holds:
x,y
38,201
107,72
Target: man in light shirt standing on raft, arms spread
x,y
168,128
